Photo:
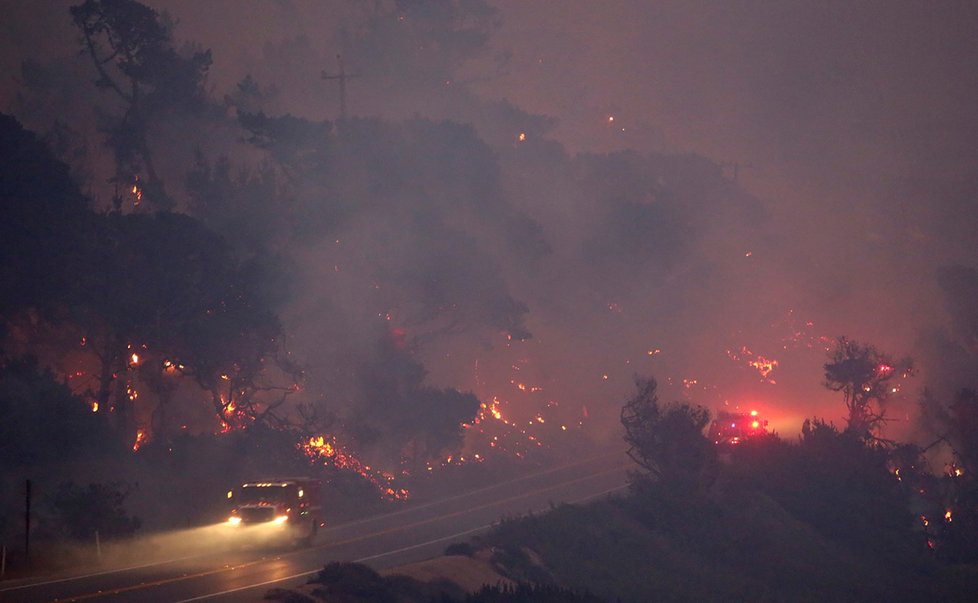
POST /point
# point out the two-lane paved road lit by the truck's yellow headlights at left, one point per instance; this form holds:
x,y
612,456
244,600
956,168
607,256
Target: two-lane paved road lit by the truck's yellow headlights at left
x,y
200,564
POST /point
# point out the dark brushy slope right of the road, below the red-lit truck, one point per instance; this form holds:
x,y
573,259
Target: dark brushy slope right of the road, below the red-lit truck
x,y
838,515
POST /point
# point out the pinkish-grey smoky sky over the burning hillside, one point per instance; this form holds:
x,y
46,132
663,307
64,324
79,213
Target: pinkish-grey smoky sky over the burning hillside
x,y
617,233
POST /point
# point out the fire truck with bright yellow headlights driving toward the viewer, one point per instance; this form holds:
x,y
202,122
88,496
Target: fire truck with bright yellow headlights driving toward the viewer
x,y
289,505
